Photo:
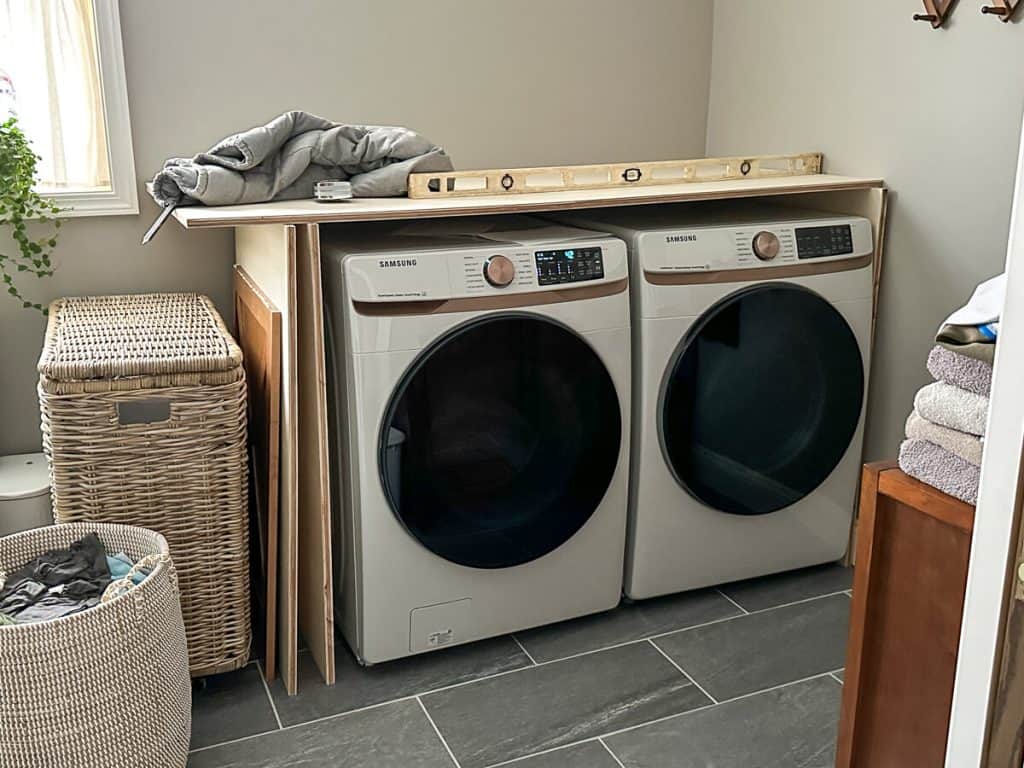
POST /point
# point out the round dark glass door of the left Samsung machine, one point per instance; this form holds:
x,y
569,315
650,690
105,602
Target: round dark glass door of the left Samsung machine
x,y
501,441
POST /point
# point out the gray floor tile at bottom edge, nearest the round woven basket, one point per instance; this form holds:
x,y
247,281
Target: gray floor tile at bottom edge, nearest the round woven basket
x,y
396,736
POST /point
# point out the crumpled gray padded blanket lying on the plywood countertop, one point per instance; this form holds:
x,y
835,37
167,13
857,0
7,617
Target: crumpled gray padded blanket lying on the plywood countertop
x,y
285,158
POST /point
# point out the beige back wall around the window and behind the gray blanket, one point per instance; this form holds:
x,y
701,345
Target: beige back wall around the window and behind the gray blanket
x,y
496,82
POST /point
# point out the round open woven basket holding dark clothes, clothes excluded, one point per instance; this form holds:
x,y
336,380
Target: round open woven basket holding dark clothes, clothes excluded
x,y
106,688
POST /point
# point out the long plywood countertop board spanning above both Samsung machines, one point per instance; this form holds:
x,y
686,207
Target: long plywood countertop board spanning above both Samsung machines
x,y
378,209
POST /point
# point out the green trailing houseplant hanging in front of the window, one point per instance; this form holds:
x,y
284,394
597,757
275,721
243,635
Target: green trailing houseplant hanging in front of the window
x,y
31,220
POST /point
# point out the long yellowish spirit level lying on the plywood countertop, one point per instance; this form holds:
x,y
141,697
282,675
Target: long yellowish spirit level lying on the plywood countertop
x,y
609,176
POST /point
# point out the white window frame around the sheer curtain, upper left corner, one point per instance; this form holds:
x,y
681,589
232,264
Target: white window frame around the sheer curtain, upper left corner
x,y
122,198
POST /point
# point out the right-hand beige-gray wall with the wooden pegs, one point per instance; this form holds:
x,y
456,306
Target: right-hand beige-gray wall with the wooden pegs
x,y
936,113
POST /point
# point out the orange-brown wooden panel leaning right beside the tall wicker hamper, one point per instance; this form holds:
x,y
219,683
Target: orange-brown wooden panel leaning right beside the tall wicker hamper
x,y
259,324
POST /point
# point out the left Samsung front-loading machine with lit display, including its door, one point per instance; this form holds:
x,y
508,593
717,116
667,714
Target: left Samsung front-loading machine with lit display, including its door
x,y
480,400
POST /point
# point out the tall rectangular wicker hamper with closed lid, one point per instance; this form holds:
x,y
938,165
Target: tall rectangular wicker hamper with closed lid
x,y
144,418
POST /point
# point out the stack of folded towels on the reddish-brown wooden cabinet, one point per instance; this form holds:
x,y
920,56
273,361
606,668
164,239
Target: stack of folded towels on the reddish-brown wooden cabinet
x,y
946,432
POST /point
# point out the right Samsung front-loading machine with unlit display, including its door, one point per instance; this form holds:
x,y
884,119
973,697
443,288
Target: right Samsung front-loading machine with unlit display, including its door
x,y
752,345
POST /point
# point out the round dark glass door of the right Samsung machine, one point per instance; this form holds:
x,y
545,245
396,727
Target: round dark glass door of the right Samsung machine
x,y
761,400
